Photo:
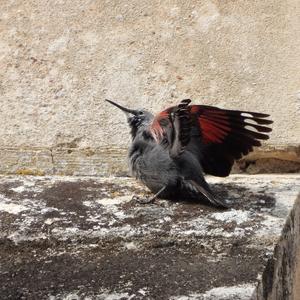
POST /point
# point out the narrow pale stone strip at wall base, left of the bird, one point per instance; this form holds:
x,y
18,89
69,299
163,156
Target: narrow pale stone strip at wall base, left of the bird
x,y
64,161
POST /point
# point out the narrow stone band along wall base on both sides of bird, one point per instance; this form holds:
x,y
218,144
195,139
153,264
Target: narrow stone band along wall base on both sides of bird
x,y
105,161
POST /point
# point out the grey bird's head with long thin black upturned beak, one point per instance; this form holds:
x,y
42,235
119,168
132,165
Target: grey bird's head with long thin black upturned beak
x,y
135,118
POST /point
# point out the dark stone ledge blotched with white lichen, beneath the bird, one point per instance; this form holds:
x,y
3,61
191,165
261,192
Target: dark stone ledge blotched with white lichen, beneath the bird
x,y
83,238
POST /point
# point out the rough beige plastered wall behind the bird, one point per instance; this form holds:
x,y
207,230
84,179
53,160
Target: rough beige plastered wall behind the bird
x,y
60,59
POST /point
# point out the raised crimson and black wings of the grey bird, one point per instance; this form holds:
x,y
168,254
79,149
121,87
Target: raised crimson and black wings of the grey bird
x,y
217,136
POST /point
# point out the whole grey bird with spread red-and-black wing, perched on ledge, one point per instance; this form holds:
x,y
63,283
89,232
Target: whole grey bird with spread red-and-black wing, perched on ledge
x,y
171,152
